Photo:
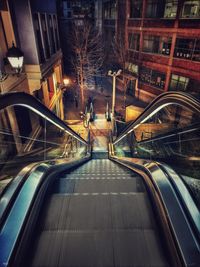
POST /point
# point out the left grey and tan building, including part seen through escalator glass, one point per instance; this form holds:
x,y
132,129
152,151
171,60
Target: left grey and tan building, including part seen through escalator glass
x,y
32,26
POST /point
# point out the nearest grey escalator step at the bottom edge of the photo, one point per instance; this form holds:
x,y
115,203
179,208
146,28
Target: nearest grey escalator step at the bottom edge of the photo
x,y
100,248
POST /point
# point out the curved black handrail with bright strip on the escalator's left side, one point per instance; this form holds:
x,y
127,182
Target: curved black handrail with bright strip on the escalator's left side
x,y
23,99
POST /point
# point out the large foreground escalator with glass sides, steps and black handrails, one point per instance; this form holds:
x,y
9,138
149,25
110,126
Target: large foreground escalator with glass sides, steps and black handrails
x,y
67,209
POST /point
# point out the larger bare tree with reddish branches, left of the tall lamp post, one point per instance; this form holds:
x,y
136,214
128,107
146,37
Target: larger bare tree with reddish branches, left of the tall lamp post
x,y
87,56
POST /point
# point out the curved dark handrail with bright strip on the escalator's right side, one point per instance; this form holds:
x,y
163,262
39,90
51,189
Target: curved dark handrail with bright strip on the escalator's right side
x,y
179,98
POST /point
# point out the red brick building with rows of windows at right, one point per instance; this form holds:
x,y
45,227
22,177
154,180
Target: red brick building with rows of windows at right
x,y
162,42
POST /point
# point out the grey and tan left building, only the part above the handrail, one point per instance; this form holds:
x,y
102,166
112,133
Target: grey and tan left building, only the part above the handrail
x,y
32,26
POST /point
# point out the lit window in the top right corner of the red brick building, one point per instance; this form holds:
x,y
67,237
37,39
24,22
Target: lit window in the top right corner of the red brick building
x,y
191,9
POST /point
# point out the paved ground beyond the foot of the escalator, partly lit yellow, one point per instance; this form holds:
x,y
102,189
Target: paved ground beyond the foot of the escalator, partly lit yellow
x,y
101,95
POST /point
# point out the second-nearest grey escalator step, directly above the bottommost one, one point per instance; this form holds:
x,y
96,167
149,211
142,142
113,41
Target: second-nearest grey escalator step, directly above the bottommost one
x,y
82,212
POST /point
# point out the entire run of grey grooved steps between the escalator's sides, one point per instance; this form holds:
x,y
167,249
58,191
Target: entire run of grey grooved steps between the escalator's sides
x,y
98,220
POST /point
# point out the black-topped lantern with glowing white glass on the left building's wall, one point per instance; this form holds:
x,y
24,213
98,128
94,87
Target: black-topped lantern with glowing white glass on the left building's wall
x,y
16,58
